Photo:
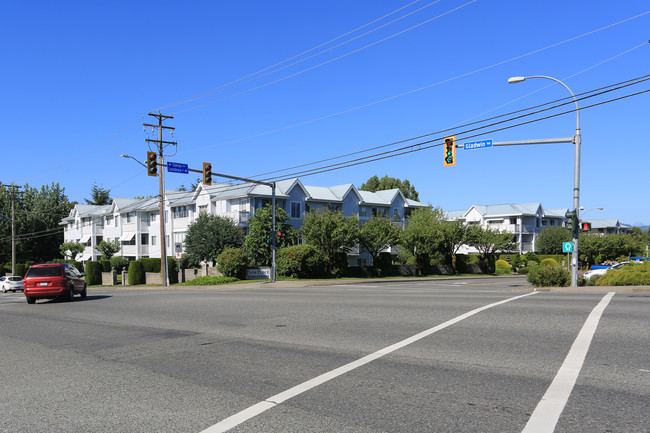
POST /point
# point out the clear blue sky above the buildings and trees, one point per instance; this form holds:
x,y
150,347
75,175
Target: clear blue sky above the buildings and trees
x,y
79,78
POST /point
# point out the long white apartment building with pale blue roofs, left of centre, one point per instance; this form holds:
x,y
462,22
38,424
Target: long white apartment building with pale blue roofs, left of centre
x,y
135,223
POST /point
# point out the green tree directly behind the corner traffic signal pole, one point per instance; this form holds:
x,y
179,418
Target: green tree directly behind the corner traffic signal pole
x,y
260,225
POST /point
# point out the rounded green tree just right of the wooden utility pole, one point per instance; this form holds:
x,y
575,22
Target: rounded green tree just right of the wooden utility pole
x,y
209,235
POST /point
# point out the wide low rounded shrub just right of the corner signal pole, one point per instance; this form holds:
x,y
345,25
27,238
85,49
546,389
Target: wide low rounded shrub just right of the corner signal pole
x,y
301,261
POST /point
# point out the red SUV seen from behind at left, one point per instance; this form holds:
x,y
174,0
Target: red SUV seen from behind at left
x,y
53,280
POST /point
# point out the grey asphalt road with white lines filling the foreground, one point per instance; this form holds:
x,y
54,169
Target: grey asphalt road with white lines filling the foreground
x,y
386,357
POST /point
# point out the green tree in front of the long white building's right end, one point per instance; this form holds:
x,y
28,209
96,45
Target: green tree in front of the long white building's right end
x,y
421,237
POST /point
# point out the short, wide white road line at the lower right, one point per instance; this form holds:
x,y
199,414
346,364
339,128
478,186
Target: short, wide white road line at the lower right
x,y
548,410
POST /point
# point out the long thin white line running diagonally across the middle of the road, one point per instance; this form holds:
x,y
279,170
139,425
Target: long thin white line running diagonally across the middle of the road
x,y
270,402
